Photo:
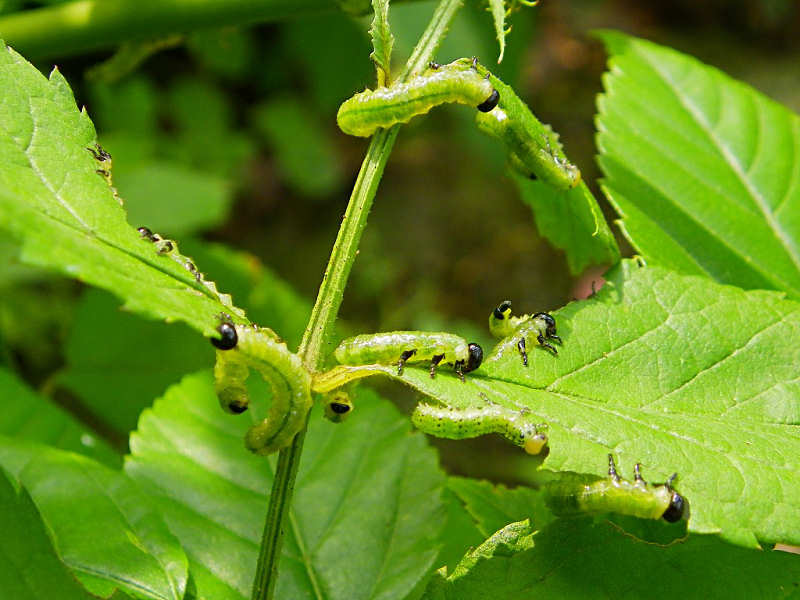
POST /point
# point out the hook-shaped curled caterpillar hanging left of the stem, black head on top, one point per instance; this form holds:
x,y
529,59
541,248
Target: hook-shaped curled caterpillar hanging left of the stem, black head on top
x,y
241,348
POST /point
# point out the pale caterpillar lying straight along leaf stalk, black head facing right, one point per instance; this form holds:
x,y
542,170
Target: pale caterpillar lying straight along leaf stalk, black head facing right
x,y
401,347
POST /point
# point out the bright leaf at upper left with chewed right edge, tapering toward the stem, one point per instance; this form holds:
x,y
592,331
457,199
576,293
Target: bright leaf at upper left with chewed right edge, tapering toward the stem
x,y
67,217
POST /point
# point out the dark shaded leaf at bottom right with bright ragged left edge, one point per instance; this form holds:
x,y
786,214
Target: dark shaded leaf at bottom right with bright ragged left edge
x,y
612,563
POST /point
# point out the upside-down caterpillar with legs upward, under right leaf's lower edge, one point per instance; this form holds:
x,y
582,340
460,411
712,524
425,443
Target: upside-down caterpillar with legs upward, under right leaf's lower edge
x,y
573,494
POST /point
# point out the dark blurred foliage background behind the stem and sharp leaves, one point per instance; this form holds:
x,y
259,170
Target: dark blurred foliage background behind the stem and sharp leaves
x,y
229,136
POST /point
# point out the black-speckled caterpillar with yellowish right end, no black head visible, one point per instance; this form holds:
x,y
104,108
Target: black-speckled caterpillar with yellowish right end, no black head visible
x,y
456,424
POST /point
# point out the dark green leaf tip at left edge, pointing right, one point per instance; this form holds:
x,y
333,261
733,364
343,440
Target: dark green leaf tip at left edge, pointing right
x,y
28,416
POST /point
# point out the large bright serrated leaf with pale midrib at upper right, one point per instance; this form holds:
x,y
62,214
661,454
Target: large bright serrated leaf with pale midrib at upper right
x,y
702,168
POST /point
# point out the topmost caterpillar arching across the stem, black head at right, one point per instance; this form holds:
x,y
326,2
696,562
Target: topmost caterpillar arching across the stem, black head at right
x,y
457,82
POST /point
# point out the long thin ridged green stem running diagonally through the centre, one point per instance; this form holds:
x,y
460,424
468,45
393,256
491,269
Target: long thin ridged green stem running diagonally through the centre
x,y
329,299
